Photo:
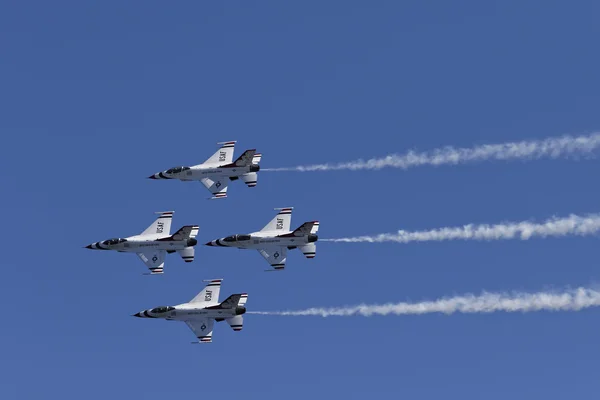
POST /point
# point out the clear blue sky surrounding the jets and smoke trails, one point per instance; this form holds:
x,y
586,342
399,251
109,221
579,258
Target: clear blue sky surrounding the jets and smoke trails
x,y
96,96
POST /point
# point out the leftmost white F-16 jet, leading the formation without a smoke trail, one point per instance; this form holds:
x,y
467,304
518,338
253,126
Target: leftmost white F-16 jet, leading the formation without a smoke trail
x,y
155,242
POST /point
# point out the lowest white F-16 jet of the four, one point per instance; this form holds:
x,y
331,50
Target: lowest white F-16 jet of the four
x,y
203,310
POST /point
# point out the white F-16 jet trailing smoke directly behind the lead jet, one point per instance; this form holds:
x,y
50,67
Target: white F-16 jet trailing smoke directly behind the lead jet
x,y
275,239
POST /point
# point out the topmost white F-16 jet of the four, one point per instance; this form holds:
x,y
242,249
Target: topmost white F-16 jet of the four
x,y
216,172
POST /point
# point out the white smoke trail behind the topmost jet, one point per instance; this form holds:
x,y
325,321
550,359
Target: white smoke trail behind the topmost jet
x,y
556,147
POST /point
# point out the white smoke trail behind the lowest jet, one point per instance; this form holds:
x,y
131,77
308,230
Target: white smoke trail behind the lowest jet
x,y
572,300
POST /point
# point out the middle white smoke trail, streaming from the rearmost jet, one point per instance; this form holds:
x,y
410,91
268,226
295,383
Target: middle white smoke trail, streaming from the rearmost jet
x,y
554,227
